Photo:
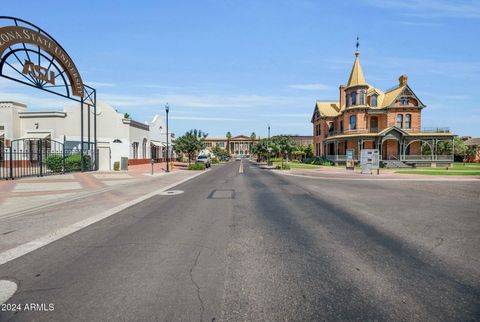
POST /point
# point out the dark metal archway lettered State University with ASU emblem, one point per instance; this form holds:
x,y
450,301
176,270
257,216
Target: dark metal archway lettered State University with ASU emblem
x,y
32,57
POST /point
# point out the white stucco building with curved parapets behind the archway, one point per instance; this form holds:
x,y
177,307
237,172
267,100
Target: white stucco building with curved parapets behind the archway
x,y
117,137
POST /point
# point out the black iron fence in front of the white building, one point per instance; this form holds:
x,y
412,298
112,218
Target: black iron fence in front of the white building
x,y
41,157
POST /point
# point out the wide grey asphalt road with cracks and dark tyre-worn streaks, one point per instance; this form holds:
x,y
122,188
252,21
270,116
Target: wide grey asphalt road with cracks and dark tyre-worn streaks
x,y
258,246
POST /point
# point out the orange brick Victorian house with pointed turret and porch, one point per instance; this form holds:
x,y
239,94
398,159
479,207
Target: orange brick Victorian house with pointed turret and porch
x,y
364,117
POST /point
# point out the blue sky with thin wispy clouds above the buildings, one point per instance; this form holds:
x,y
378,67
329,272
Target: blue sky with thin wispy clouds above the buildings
x,y
239,65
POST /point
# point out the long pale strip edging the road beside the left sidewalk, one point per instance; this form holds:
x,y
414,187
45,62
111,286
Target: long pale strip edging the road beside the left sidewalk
x,y
26,248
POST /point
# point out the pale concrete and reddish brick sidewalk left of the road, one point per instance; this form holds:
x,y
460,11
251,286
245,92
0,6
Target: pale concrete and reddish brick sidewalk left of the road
x,y
35,207
